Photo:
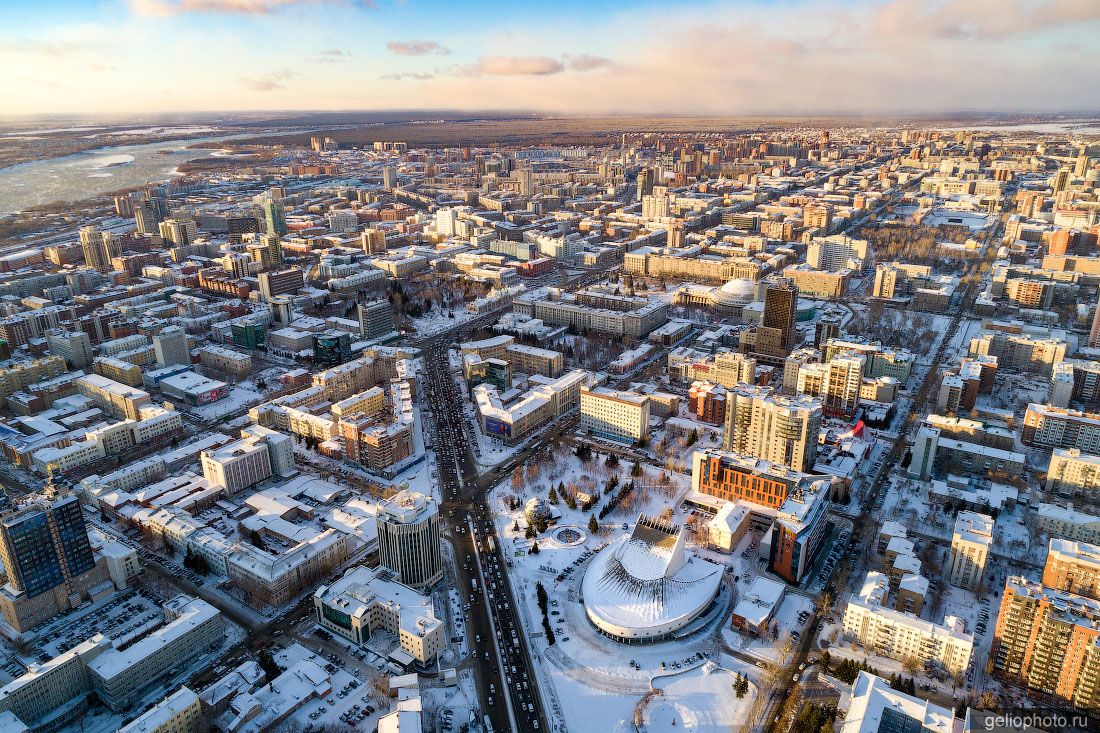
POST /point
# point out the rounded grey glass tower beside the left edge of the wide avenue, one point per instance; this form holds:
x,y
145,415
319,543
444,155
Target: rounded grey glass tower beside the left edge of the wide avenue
x,y
410,537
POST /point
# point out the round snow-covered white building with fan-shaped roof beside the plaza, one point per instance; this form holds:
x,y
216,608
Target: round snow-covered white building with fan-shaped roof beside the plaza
x,y
646,587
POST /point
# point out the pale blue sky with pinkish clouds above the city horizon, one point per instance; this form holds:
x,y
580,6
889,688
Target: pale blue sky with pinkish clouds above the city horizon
x,y
720,58
